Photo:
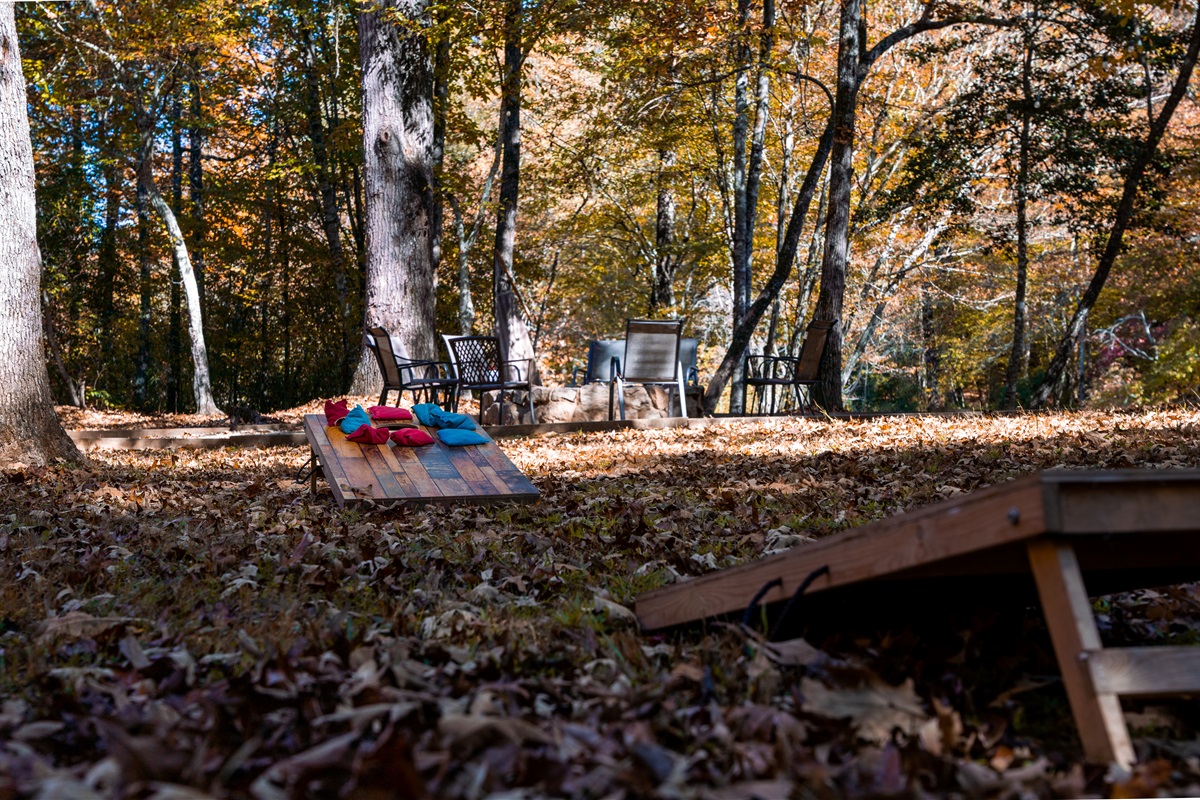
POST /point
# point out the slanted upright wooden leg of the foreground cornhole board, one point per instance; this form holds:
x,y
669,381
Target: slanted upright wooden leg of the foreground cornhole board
x,y
1073,633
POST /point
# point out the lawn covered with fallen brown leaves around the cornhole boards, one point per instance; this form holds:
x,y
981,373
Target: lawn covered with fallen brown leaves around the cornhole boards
x,y
195,624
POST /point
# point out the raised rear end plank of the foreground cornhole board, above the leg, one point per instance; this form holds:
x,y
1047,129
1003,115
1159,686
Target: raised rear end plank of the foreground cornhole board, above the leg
x,y
1123,501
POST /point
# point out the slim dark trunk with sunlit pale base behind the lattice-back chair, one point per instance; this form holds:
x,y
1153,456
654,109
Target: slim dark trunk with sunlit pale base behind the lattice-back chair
x,y
511,326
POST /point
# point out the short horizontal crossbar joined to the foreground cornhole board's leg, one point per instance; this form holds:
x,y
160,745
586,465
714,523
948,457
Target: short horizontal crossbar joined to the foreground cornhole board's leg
x,y
1145,672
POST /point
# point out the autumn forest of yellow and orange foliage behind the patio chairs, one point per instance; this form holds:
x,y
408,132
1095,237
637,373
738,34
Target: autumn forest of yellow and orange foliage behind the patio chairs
x,y
663,148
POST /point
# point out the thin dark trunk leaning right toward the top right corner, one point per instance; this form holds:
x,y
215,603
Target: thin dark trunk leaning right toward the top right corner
x,y
1121,221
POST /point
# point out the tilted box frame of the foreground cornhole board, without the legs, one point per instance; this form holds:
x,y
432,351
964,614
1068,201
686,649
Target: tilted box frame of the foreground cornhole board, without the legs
x,y
1118,520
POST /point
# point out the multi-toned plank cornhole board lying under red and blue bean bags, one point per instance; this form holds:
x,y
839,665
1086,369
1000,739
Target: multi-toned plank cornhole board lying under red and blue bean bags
x,y
437,473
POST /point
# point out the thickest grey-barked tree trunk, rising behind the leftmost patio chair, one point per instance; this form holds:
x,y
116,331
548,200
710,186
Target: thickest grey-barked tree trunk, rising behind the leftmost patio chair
x,y
399,161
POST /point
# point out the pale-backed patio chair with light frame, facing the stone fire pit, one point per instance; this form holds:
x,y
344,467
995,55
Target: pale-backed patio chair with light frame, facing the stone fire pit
x,y
651,358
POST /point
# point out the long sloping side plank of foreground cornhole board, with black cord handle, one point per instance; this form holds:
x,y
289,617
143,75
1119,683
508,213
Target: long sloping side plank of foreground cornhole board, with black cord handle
x,y
974,522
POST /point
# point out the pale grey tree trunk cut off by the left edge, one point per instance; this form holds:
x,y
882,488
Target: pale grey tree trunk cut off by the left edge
x,y
31,431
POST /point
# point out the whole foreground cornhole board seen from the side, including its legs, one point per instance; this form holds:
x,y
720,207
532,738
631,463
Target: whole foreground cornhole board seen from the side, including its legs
x,y
1120,530
